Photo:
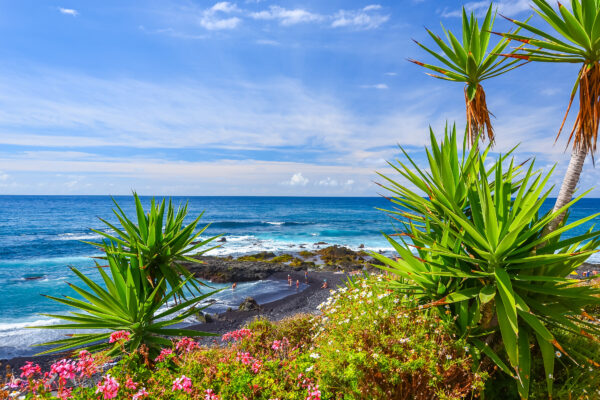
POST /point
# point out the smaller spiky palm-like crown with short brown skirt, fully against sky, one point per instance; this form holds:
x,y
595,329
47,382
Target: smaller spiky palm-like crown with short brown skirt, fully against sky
x,y
470,62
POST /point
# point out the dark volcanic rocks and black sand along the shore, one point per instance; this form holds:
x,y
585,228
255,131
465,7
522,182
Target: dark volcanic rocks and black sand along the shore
x,y
333,263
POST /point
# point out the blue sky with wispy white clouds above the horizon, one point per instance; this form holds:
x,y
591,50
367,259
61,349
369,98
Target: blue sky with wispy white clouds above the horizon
x,y
247,97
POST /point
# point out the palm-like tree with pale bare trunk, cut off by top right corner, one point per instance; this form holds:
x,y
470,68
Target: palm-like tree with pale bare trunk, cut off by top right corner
x,y
575,39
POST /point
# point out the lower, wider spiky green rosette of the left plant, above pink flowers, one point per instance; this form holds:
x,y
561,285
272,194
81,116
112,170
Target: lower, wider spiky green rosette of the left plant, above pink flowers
x,y
126,303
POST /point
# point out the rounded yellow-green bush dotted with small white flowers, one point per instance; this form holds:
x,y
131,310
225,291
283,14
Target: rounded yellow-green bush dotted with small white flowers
x,y
375,345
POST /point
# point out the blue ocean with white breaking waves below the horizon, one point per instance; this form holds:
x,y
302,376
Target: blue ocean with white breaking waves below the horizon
x,y
40,236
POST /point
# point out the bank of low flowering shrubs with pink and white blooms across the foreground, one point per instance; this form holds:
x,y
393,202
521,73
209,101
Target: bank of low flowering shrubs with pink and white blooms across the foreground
x,y
299,358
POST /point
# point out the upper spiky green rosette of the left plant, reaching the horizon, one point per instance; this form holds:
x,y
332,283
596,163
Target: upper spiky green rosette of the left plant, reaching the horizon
x,y
162,241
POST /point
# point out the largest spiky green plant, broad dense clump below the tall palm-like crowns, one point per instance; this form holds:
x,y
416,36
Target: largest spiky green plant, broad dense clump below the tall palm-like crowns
x,y
486,261
